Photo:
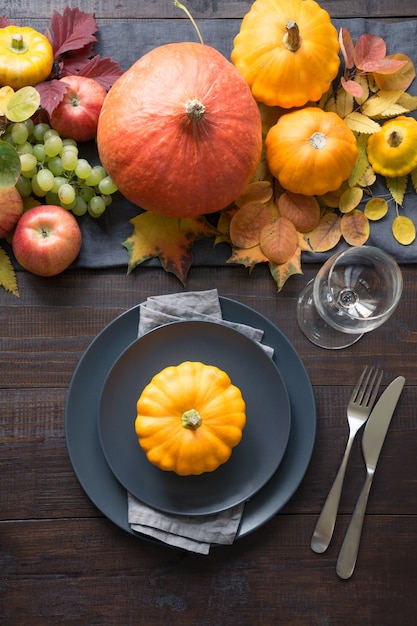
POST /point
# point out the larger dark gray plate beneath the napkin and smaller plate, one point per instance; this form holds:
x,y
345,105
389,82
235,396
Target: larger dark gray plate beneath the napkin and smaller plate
x,y
90,465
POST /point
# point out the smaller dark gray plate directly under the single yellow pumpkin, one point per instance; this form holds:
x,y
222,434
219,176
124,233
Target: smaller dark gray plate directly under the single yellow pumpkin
x,y
254,460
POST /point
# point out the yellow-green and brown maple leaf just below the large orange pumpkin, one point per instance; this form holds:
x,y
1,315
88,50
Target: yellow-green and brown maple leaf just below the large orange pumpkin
x,y
167,238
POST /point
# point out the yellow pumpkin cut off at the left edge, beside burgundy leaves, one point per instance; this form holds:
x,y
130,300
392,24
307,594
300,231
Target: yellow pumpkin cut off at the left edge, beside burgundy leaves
x,y
26,57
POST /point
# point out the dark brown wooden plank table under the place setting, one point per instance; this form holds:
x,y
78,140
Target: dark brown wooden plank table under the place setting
x,y
63,562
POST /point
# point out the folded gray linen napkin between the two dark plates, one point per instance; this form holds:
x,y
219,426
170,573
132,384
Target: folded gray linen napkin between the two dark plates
x,y
192,533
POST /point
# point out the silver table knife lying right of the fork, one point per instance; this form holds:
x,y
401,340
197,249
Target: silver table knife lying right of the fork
x,y
372,442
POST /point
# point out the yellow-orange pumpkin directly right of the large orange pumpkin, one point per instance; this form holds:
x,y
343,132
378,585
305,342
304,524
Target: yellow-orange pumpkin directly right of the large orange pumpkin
x,y
310,151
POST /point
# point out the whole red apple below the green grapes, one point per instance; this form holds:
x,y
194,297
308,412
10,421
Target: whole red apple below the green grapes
x,y
47,240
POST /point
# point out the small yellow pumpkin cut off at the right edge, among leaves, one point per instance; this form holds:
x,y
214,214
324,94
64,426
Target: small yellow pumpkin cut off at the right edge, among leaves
x,y
392,151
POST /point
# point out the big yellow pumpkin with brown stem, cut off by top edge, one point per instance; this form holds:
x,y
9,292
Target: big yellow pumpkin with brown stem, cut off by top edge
x,y
288,51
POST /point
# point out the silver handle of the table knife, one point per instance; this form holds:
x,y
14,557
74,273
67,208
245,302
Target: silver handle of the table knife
x,y
349,551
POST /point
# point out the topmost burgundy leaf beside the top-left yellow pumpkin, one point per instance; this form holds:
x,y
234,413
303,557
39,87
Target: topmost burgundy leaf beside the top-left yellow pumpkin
x,y
72,30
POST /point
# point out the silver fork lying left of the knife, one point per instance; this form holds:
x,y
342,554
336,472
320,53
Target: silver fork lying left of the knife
x,y
359,408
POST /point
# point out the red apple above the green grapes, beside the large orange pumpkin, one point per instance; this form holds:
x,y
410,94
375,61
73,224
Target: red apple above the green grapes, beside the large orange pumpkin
x,y
76,116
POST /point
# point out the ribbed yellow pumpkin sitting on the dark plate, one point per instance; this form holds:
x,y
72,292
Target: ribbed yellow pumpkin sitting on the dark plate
x,y
189,417
